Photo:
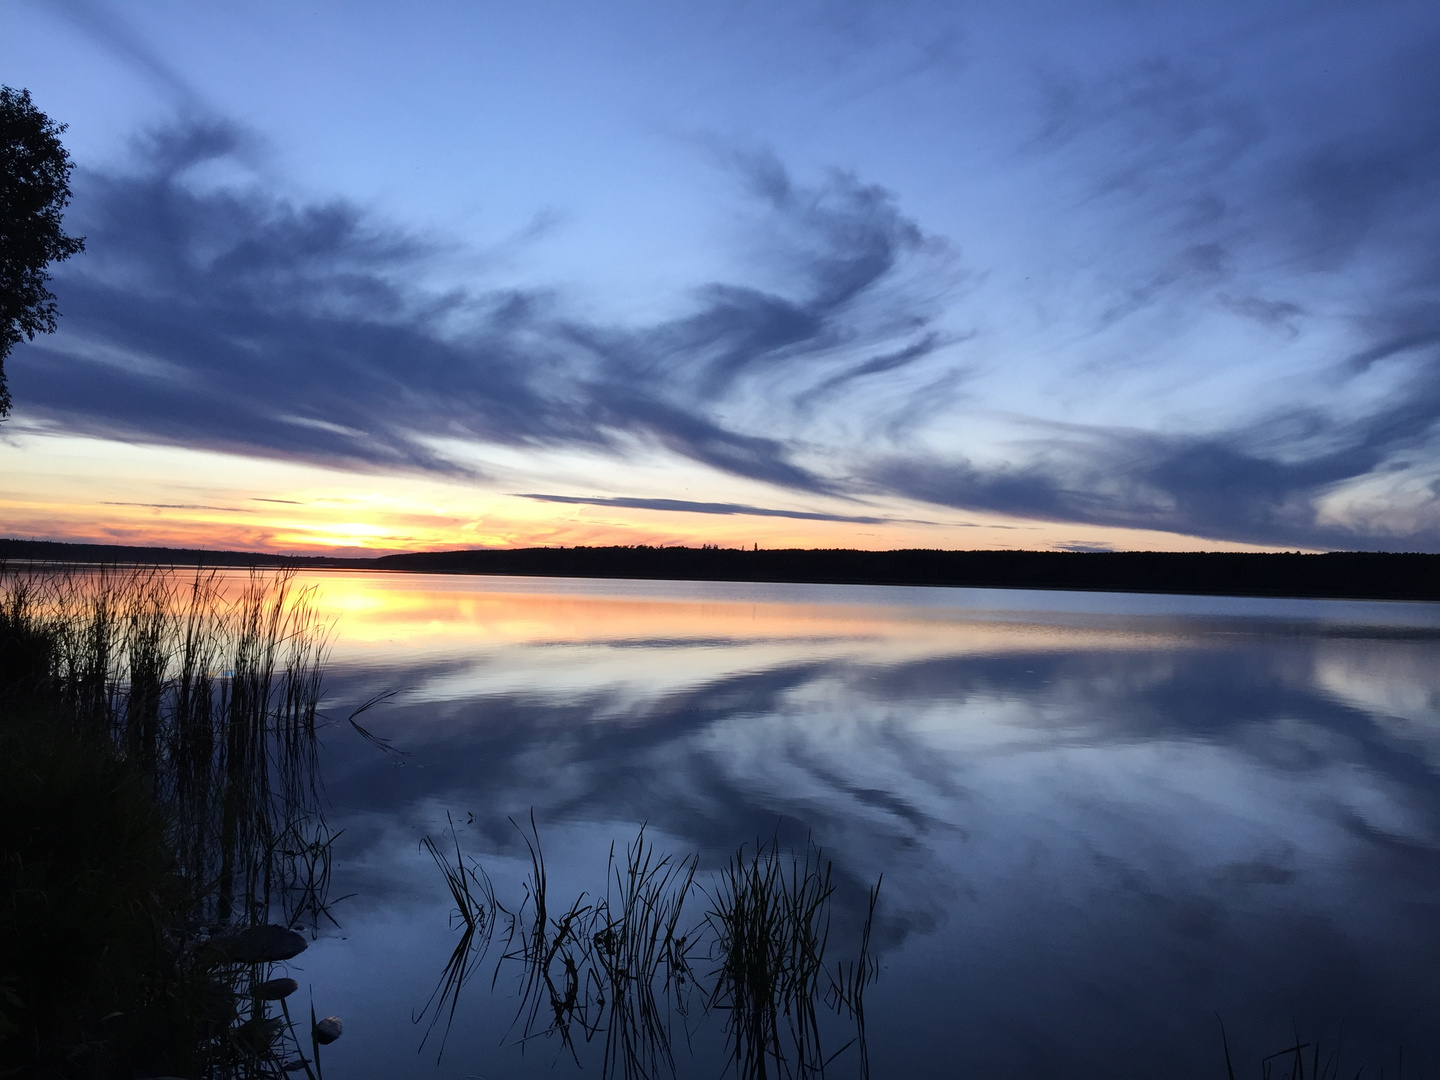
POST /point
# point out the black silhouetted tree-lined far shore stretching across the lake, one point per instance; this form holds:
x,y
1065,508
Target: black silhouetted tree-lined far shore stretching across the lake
x,y
1334,575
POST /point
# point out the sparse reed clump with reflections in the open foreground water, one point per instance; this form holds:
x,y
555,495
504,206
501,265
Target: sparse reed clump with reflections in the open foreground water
x,y
621,967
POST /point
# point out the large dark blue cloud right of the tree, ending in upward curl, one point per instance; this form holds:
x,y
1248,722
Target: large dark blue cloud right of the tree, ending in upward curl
x,y
238,322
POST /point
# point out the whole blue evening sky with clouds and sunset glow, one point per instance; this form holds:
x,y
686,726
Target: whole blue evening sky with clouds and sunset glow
x,y
1042,276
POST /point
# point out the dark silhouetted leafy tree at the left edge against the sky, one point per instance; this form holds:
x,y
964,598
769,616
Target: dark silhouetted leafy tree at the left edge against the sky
x,y
35,188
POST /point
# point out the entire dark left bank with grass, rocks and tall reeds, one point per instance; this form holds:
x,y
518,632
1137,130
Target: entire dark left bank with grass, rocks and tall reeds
x,y
158,791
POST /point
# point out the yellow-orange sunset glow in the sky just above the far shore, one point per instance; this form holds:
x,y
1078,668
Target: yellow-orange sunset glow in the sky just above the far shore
x,y
96,492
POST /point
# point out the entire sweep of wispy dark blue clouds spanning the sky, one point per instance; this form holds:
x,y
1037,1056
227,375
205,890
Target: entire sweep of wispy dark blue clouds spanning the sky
x,y
1228,214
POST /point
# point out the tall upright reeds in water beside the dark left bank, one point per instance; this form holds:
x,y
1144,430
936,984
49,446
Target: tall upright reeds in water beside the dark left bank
x,y
208,690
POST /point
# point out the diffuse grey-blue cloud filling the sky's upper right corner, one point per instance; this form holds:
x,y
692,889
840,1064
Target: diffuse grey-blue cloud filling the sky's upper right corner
x,y
1261,155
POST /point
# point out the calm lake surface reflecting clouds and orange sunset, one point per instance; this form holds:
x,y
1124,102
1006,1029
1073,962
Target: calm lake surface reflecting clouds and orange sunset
x,y
1102,820
